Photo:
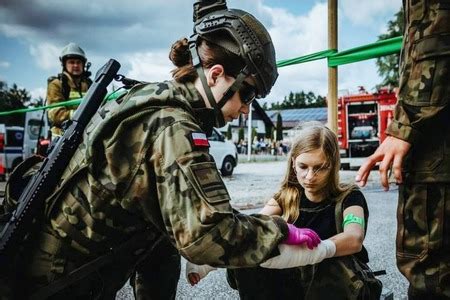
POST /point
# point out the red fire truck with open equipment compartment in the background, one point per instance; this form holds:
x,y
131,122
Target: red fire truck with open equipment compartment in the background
x,y
362,122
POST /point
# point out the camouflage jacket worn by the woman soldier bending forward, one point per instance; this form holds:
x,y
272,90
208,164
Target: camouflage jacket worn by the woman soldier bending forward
x,y
139,164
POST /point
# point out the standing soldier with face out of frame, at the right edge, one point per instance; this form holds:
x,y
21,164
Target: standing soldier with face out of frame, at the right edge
x,y
418,148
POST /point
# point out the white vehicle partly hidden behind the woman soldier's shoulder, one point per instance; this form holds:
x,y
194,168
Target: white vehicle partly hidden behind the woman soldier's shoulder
x,y
224,153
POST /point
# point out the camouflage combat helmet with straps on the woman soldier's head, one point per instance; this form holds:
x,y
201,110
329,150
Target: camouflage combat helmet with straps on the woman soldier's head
x,y
240,33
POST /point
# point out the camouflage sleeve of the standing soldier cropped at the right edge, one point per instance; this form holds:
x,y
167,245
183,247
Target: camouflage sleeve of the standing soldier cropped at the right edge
x,y
424,89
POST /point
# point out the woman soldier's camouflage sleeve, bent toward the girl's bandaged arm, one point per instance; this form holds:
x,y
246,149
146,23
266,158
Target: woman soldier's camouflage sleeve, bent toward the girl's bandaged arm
x,y
196,210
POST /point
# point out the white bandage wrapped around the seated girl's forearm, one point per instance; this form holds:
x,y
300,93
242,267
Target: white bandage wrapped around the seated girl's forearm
x,y
299,255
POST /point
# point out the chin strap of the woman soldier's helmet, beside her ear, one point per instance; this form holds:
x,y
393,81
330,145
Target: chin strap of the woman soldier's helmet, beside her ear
x,y
220,121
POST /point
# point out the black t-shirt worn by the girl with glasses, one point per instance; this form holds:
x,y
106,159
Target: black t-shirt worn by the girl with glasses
x,y
320,216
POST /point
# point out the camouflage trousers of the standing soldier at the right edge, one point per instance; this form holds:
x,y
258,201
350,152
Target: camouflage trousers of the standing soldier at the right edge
x,y
423,239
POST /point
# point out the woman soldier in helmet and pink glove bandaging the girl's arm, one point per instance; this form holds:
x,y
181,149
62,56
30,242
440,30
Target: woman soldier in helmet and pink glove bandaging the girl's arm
x,y
143,173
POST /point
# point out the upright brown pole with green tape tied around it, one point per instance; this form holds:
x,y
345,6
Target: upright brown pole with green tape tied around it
x,y
332,71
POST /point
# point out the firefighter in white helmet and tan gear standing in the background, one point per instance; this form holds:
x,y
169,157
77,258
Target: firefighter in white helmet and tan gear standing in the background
x,y
72,83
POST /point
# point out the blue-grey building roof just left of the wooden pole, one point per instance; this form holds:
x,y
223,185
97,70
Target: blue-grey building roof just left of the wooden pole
x,y
292,117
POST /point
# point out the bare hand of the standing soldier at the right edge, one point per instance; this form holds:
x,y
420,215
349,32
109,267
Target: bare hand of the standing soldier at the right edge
x,y
391,153
